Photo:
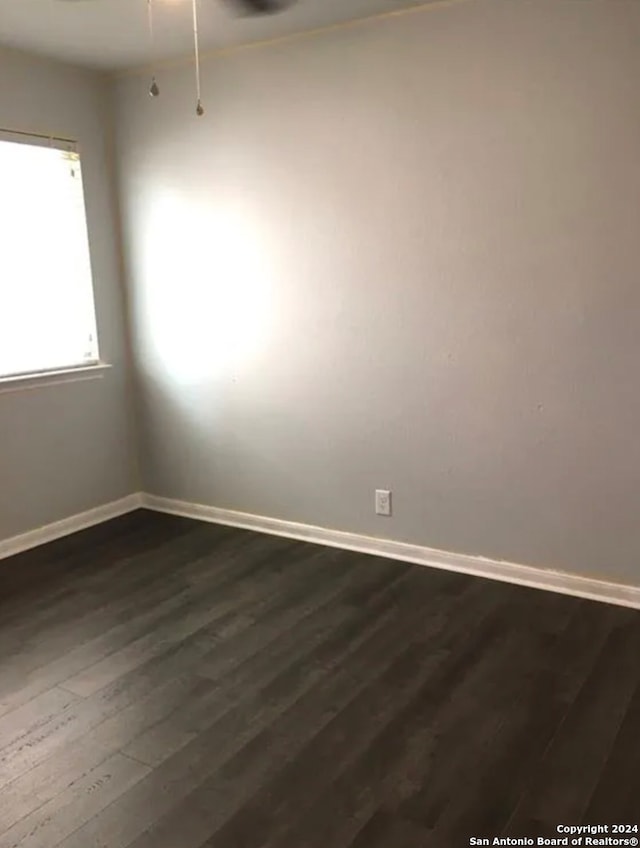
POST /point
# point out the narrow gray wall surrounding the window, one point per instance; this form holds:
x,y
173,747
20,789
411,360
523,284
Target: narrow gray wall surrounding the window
x,y
68,448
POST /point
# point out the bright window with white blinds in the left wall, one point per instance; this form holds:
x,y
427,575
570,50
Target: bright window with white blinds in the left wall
x,y
47,314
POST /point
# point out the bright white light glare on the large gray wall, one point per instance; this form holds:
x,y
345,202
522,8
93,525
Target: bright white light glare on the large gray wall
x,y
207,275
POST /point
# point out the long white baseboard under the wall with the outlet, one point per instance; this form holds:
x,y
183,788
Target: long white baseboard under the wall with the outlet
x,y
507,572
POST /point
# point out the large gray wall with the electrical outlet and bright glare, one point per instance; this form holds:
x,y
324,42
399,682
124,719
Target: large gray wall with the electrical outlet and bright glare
x,y
401,255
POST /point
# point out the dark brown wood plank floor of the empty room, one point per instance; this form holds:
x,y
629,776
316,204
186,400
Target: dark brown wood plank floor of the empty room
x,y
171,684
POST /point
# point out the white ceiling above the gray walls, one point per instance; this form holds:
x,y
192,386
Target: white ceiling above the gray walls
x,y
113,34
